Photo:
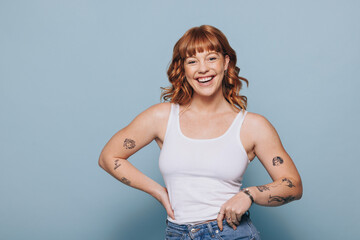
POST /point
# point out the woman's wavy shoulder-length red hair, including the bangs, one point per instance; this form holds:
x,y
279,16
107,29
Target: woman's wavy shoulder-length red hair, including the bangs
x,y
199,39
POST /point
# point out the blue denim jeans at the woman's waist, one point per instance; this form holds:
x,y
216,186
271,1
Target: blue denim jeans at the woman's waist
x,y
206,231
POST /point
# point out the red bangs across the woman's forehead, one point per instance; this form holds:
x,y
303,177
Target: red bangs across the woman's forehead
x,y
199,41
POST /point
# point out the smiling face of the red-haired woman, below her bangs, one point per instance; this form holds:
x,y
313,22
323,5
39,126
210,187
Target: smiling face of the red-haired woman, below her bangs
x,y
205,72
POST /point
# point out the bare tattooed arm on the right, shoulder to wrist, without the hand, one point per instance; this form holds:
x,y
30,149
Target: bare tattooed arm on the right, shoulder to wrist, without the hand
x,y
286,185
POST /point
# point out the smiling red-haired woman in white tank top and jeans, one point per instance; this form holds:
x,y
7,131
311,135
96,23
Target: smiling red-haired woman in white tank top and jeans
x,y
207,138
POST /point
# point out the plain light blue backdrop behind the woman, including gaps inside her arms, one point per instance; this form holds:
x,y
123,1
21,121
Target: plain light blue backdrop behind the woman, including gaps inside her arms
x,y
72,73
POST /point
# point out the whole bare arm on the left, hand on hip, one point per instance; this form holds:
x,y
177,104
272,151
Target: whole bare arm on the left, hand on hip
x,y
146,127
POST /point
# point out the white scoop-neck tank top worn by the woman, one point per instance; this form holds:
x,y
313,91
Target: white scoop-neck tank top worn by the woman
x,y
201,174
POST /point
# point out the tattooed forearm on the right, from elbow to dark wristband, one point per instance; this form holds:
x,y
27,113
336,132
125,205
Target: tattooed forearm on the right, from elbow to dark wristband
x,y
277,193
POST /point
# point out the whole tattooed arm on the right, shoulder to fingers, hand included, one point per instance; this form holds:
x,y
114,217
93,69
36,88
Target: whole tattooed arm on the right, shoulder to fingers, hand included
x,y
286,185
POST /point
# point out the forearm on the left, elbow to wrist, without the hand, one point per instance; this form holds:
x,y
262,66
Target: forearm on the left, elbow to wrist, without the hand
x,y
126,173
